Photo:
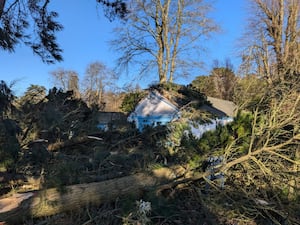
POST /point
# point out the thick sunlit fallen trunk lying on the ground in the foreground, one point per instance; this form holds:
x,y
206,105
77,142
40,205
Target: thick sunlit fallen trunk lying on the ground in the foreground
x,y
52,201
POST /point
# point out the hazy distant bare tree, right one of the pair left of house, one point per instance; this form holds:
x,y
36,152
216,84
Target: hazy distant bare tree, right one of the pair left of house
x,y
97,78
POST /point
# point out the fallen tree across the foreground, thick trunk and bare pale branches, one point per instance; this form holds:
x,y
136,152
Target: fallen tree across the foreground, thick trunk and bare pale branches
x,y
52,201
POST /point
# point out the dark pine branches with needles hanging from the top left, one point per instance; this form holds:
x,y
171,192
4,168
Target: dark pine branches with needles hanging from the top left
x,y
30,22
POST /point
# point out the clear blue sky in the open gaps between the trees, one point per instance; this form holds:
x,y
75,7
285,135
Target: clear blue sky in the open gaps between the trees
x,y
85,40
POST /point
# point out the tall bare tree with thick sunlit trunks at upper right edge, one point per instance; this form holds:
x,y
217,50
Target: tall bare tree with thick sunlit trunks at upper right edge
x,y
275,45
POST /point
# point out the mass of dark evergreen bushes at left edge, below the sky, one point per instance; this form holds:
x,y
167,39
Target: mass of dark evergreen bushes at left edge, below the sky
x,y
56,116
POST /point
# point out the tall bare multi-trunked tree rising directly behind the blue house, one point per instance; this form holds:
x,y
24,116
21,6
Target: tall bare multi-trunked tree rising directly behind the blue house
x,y
164,35
